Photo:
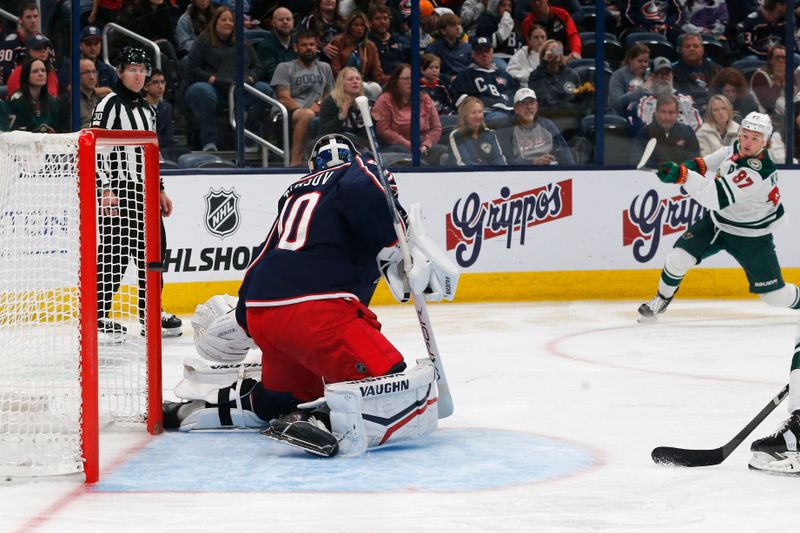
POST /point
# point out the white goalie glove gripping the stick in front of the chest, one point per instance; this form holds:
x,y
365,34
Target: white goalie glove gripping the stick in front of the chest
x,y
433,274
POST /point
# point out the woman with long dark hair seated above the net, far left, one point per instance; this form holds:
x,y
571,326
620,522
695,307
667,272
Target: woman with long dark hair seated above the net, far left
x,y
31,108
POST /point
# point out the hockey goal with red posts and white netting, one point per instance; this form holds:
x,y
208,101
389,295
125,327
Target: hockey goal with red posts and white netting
x,y
60,380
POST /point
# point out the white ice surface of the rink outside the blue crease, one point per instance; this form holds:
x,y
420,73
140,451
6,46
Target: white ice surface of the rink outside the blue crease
x,y
583,372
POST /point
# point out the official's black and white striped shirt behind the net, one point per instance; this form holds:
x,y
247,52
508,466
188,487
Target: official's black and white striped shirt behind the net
x,y
122,109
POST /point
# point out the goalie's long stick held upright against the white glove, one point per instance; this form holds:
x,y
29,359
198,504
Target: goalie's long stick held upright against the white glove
x,y
445,399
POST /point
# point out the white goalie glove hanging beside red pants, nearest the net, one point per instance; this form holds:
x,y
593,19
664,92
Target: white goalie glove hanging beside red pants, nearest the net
x,y
217,335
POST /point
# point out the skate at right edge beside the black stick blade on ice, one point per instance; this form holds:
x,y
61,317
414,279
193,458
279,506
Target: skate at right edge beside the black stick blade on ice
x,y
778,453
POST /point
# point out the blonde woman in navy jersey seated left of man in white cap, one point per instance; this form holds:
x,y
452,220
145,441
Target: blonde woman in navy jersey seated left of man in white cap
x,y
471,142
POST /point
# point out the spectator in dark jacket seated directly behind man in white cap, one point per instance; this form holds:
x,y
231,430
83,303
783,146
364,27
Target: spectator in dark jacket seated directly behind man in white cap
x,y
556,86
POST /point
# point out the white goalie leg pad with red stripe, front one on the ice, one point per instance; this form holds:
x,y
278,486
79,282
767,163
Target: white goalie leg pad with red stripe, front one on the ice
x,y
385,410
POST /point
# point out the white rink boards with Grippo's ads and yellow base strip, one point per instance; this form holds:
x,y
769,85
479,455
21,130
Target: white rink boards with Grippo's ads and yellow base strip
x,y
534,235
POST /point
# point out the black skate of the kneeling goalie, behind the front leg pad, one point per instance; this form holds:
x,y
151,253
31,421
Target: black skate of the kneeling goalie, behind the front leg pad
x,y
306,430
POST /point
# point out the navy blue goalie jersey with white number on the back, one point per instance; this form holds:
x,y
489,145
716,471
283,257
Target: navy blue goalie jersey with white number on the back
x,y
330,226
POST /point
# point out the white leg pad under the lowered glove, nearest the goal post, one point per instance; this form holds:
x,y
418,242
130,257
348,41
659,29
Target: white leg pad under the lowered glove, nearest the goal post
x,y
201,379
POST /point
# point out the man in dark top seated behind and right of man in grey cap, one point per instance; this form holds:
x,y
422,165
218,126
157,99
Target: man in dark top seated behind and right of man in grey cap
x,y
693,71
